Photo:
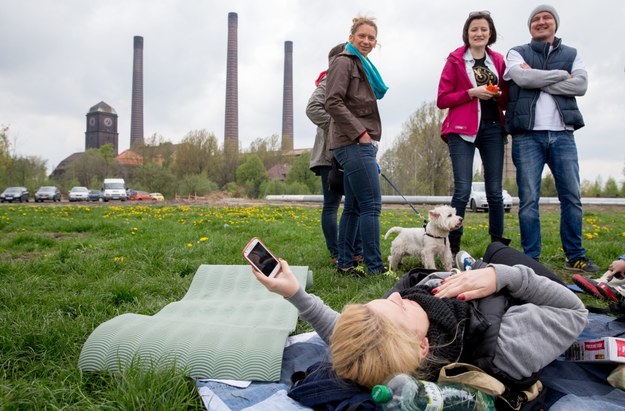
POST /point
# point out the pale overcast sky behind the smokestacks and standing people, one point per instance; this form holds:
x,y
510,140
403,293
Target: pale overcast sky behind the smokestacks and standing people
x,y
58,59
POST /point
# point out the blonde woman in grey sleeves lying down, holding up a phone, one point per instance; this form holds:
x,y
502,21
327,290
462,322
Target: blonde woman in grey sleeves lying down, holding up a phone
x,y
508,320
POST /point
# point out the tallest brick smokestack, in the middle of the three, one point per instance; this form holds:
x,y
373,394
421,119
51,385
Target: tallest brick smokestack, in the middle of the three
x,y
231,132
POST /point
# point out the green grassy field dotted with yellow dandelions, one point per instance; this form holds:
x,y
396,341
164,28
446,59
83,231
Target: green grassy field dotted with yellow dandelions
x,y
66,269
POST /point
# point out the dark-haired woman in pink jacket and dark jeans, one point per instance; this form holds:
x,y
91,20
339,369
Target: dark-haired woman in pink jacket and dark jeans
x,y
472,88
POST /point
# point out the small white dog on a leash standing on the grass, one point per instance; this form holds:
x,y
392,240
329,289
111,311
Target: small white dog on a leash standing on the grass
x,y
427,242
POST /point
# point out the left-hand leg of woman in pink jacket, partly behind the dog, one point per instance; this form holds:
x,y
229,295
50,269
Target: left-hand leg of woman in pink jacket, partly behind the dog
x,y
461,154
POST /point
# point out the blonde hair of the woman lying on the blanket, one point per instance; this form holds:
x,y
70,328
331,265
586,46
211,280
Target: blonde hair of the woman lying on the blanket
x,y
368,349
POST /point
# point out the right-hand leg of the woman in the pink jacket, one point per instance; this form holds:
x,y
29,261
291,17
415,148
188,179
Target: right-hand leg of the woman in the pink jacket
x,y
490,143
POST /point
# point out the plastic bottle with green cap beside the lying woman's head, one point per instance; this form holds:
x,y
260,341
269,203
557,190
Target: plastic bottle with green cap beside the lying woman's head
x,y
406,393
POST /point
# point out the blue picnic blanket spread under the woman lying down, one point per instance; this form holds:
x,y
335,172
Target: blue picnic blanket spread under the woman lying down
x,y
570,385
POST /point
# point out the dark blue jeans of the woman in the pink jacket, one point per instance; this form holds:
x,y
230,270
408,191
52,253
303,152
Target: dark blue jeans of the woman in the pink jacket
x,y
490,143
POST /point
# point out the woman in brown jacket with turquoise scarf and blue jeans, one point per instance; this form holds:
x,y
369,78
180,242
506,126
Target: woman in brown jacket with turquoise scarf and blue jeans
x,y
353,88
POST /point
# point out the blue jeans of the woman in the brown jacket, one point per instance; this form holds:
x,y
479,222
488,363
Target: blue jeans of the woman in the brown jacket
x,y
363,205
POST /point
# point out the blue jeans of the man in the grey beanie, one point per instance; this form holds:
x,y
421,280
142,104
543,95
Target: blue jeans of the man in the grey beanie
x,y
557,149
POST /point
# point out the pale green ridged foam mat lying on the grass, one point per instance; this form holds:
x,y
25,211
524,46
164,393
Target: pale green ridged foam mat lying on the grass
x,y
227,326
